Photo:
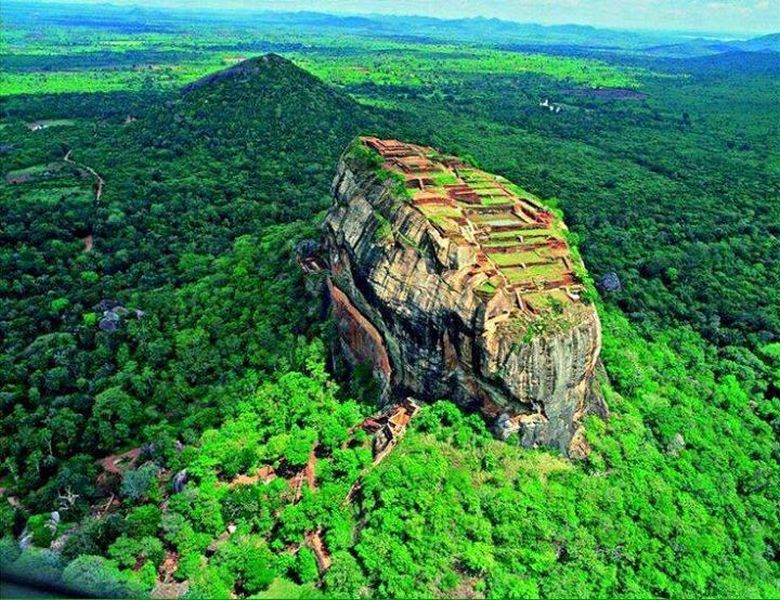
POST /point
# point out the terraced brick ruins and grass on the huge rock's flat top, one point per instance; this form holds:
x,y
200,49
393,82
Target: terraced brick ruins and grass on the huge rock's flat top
x,y
520,250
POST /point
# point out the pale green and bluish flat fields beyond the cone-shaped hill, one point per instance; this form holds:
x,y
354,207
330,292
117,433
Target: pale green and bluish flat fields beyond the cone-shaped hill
x,y
107,60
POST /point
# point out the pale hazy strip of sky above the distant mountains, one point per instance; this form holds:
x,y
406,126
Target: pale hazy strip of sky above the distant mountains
x,y
755,16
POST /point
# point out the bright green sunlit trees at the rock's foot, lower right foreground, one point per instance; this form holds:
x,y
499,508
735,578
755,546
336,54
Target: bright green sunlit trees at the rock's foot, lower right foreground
x,y
477,514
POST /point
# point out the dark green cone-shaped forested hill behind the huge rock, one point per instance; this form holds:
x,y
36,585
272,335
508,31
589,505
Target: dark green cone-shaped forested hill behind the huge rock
x,y
271,129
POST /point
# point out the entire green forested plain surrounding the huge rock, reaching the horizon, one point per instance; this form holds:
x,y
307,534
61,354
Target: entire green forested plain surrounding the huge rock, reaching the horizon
x,y
161,351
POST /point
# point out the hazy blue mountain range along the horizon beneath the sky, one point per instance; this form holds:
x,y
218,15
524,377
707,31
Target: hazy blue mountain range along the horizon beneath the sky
x,y
508,34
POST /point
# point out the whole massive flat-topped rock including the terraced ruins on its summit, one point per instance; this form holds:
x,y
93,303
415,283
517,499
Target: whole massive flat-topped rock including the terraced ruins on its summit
x,y
455,284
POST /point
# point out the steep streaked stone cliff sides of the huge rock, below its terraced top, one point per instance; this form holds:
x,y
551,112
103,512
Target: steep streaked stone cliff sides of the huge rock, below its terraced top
x,y
404,299
